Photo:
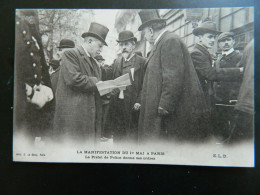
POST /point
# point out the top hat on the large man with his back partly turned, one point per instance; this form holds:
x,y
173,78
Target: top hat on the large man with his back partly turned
x,y
148,17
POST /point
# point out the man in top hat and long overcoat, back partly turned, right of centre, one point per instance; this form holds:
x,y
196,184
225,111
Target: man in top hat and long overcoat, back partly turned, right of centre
x,y
172,101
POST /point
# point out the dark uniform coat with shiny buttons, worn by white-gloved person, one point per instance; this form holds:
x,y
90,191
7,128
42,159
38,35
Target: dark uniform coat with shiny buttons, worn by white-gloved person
x,y
32,69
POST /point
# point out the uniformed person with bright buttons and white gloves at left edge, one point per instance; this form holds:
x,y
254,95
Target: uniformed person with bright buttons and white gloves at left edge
x,y
32,91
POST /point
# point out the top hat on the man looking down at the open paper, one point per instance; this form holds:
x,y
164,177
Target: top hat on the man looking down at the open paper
x,y
98,31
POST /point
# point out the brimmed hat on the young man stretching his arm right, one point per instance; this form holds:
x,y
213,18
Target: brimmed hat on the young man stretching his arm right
x,y
206,27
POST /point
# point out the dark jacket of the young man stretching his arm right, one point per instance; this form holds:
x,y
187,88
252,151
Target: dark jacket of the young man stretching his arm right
x,y
207,74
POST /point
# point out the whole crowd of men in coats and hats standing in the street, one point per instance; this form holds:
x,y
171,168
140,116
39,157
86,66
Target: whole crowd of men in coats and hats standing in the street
x,y
174,94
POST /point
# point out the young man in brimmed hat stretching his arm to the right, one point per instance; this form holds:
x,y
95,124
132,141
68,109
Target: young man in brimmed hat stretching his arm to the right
x,y
202,61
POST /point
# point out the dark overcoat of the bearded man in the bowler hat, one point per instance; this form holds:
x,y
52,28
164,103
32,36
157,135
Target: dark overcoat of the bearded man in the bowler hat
x,y
122,115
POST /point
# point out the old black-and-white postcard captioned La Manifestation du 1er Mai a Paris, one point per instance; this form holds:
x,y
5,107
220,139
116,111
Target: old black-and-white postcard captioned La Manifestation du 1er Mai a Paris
x,y
136,86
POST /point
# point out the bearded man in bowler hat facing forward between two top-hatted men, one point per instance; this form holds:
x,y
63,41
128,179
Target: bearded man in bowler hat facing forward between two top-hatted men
x,y
124,111
